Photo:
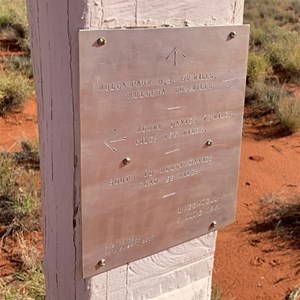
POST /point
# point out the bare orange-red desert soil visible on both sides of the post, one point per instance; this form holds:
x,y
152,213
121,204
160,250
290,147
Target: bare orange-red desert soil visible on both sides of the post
x,y
248,265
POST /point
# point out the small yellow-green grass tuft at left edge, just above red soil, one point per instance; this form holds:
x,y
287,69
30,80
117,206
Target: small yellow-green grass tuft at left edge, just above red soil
x,y
14,90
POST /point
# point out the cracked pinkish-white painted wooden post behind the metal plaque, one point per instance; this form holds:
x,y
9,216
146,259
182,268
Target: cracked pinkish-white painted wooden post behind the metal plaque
x,y
182,272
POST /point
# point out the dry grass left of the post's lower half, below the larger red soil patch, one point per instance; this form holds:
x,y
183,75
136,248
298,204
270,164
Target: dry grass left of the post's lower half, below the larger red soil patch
x,y
20,215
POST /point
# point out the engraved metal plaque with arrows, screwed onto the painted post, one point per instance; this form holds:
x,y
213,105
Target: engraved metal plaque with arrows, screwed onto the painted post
x,y
161,115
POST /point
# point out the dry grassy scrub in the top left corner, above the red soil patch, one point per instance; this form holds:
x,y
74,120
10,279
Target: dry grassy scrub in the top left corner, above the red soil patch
x,y
15,70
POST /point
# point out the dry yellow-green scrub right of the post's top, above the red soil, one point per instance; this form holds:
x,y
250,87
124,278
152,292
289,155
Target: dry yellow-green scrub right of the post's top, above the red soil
x,y
274,58
